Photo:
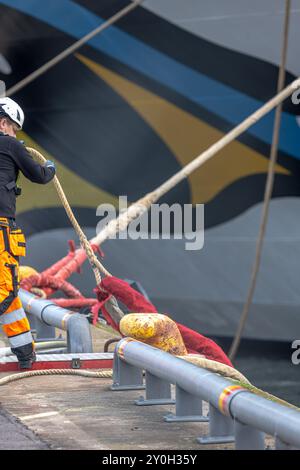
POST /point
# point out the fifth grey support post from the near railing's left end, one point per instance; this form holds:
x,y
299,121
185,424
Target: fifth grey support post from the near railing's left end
x,y
248,438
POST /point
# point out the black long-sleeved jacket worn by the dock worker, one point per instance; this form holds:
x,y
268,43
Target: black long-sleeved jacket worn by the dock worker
x,y
14,158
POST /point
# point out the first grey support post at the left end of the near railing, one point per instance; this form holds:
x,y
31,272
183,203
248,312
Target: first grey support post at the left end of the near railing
x,y
125,376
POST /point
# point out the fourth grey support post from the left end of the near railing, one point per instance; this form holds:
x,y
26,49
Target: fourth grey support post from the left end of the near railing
x,y
221,428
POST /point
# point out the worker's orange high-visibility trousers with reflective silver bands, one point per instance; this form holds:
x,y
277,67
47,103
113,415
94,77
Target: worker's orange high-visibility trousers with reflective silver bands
x,y
12,316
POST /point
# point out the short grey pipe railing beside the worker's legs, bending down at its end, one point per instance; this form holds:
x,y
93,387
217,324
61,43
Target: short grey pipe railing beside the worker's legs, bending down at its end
x,y
45,316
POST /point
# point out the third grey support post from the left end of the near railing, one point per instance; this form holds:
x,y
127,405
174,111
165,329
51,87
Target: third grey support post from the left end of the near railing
x,y
188,408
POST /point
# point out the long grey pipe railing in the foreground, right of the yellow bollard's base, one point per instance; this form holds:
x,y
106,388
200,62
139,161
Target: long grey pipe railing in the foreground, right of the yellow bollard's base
x,y
235,414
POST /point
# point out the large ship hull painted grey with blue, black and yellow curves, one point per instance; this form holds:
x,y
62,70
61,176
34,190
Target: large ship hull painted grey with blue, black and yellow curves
x,y
132,108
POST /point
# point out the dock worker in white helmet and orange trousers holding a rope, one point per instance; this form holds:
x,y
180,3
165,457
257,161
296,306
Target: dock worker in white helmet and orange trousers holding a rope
x,y
14,159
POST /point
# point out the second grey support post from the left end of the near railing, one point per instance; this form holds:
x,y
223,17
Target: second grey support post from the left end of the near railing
x,y
158,392
